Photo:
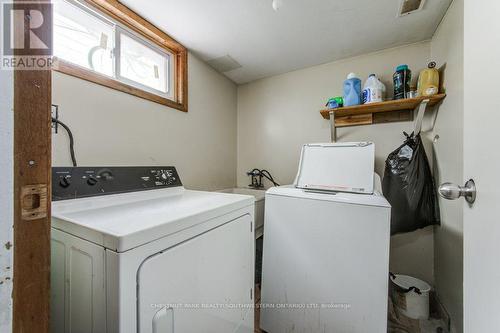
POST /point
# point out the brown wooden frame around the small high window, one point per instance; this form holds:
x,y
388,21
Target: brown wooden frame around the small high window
x,y
133,21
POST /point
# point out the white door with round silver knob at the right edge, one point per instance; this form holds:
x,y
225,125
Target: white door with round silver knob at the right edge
x,y
482,162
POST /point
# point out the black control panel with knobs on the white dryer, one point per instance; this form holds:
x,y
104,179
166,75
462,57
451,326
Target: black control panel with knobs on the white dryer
x,y
80,182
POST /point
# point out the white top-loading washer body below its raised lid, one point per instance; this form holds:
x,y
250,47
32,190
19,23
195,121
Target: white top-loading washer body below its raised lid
x,y
325,261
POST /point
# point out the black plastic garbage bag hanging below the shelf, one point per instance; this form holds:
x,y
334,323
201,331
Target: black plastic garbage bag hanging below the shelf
x,y
409,187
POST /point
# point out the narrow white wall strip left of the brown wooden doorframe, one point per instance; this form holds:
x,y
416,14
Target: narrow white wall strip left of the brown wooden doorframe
x,y
6,198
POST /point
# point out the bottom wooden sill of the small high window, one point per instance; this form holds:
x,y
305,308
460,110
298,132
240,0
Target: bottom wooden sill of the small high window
x,y
85,74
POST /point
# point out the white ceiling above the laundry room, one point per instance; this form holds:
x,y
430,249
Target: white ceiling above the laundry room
x,y
300,34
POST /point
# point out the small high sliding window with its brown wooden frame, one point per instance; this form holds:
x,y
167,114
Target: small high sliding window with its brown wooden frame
x,y
105,42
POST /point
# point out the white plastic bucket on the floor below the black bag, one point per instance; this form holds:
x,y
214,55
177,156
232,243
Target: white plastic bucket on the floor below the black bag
x,y
410,295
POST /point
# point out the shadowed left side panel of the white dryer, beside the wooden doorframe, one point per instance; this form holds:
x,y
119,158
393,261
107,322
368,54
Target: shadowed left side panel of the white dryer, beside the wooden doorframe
x,y
77,285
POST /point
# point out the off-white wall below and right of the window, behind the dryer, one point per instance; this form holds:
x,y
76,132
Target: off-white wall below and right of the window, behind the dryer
x,y
114,128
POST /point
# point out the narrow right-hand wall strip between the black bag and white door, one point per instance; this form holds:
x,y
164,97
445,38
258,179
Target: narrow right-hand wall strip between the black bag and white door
x,y
447,48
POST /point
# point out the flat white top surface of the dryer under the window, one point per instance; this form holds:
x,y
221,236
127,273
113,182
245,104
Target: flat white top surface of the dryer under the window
x,y
124,221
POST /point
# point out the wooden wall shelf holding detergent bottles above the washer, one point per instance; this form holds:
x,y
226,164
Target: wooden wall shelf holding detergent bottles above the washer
x,y
388,111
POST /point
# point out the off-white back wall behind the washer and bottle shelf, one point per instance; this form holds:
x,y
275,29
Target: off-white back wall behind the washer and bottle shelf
x,y
277,115
